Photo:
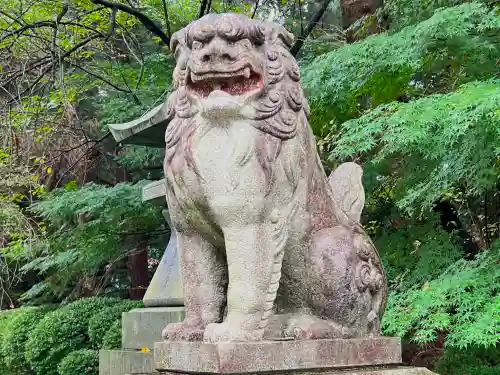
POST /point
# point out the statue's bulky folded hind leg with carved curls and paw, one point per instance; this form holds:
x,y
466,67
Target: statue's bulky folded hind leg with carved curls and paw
x,y
349,288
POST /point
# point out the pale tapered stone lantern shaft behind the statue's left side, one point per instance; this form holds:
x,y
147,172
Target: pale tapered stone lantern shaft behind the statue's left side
x,y
166,287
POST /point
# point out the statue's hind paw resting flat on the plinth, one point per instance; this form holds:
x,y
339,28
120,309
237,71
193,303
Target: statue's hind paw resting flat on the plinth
x,y
313,328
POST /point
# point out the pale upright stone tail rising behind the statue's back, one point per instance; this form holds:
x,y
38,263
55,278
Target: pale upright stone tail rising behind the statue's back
x,y
348,192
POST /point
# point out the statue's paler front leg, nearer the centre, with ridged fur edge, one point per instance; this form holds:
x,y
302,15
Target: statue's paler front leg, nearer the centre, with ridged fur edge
x,y
254,270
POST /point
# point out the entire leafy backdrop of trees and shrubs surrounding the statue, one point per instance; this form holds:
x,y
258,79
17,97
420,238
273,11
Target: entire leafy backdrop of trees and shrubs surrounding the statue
x,y
408,89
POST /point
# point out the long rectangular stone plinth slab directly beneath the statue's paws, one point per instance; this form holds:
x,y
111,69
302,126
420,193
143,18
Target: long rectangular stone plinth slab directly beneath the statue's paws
x,y
266,356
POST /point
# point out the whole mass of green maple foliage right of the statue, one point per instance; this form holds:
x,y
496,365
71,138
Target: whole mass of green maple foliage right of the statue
x,y
442,144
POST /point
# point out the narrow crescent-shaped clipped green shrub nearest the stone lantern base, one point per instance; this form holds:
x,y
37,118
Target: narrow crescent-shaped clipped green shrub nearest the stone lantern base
x,y
101,322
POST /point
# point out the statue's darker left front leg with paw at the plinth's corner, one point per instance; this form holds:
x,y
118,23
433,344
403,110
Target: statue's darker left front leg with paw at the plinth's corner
x,y
205,278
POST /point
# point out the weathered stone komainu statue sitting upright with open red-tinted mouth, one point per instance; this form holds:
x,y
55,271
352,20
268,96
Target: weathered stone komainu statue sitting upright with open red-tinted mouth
x,y
270,248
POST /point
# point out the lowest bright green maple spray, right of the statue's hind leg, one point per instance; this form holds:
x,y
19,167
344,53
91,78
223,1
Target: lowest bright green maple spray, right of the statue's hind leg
x,y
463,301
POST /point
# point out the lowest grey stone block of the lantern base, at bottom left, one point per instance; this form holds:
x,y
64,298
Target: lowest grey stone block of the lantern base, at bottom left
x,y
124,362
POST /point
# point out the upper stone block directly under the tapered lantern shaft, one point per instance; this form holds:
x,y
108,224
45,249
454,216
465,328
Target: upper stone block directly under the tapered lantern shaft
x,y
141,328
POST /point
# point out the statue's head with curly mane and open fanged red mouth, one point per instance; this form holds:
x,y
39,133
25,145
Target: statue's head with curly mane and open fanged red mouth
x,y
232,67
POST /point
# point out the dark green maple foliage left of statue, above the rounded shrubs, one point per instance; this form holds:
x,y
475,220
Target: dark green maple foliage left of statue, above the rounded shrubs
x,y
89,228
